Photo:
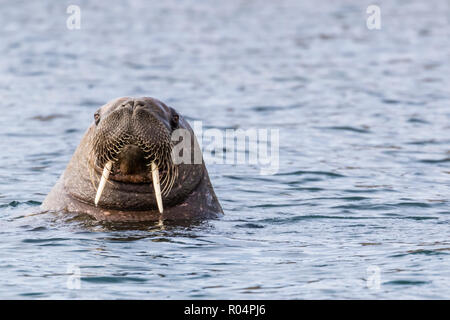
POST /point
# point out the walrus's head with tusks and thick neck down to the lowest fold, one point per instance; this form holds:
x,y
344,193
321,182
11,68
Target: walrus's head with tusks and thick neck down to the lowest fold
x,y
127,154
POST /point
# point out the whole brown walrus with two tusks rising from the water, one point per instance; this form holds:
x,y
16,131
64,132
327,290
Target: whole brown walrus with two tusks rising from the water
x,y
124,168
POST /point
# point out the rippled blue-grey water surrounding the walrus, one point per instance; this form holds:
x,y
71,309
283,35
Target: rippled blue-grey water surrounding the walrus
x,y
361,196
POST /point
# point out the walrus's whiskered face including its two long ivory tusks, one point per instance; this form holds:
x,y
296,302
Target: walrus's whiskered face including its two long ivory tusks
x,y
131,144
